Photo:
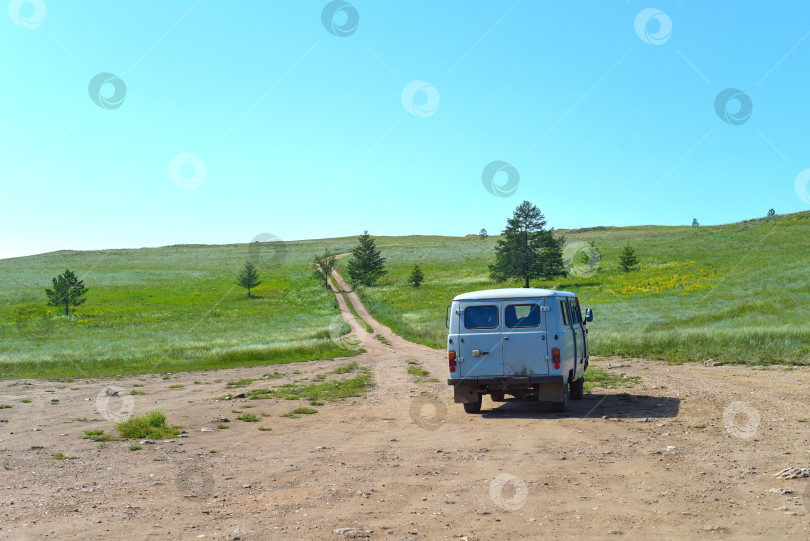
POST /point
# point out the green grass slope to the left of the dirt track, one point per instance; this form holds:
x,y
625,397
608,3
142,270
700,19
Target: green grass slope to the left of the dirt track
x,y
165,310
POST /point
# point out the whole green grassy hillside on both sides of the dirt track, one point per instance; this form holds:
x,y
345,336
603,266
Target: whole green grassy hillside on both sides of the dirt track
x,y
736,293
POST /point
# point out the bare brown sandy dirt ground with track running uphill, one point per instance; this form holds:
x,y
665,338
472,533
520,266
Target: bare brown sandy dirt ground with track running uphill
x,y
687,451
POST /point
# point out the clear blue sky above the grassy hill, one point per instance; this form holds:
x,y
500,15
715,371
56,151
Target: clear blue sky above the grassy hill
x,y
235,120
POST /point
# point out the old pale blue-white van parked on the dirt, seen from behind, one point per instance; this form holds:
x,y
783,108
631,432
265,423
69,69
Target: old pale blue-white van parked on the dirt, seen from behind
x,y
525,342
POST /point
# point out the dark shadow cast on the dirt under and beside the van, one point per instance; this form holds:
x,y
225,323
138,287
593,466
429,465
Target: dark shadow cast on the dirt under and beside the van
x,y
593,405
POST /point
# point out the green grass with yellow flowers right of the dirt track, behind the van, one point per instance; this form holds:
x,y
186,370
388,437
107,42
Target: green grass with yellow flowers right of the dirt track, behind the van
x,y
736,293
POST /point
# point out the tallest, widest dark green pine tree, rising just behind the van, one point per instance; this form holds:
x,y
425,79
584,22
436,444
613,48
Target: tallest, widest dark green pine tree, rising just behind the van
x,y
528,250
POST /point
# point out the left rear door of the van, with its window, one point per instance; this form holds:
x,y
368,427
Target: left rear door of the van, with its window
x,y
480,344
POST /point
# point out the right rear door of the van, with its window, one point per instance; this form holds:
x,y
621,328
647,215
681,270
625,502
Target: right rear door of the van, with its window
x,y
525,344
